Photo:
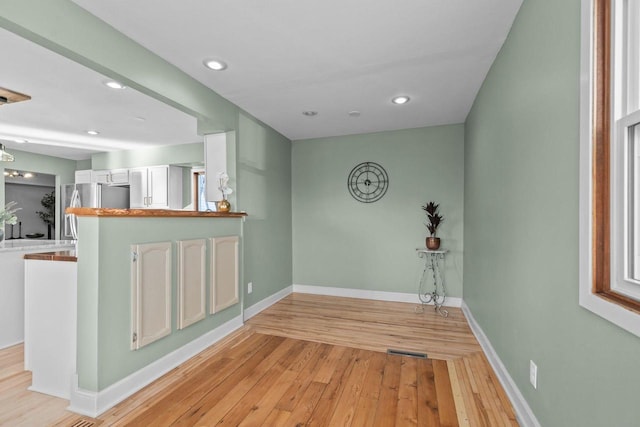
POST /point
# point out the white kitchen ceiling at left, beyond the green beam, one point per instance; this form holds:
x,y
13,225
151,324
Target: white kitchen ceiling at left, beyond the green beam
x,y
68,99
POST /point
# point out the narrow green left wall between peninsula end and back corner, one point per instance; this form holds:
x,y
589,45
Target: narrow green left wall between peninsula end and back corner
x,y
264,191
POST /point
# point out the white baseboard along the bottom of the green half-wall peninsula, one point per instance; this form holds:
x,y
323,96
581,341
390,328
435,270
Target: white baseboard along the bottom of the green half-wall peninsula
x,y
93,404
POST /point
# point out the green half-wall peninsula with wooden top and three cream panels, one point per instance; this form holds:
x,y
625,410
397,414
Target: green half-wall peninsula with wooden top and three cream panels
x,y
153,286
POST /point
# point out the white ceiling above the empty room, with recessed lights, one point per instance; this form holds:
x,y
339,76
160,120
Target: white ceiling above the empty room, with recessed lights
x,y
330,56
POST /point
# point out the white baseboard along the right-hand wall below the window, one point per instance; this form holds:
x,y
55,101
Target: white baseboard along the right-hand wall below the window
x,y
524,413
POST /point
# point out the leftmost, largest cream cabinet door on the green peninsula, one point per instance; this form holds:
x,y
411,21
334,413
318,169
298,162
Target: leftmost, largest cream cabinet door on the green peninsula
x,y
150,293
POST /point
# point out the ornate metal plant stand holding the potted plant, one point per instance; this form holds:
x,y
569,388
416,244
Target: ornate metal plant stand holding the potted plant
x,y
433,261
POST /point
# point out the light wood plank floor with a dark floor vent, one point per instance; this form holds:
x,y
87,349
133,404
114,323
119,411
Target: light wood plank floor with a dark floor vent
x,y
307,360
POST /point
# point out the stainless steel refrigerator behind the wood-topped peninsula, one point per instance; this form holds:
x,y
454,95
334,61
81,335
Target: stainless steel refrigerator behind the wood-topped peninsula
x,y
89,196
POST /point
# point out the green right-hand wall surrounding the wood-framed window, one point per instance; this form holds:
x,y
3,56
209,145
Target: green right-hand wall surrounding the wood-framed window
x,y
521,229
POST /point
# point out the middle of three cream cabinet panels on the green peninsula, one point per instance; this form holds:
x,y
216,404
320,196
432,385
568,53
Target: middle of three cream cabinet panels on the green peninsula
x,y
191,281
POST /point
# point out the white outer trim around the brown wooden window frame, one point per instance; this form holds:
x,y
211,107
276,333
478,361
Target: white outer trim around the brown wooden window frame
x,y
612,312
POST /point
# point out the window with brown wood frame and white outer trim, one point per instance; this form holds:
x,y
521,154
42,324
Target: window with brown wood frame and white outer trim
x,y
610,161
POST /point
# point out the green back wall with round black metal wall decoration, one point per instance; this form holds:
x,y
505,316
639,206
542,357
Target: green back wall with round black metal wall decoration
x,y
340,242
